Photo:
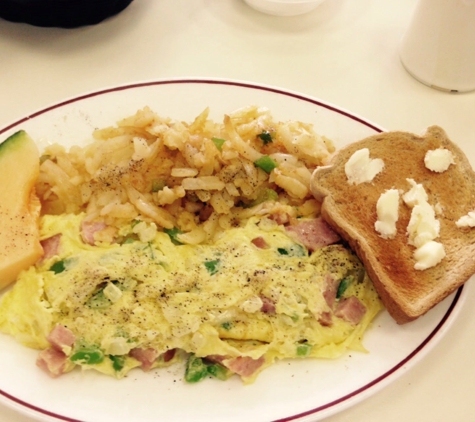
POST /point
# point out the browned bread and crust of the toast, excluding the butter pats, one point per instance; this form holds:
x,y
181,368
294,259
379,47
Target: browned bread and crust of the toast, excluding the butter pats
x,y
351,211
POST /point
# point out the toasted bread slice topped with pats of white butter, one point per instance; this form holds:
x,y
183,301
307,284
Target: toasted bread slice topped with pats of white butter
x,y
417,248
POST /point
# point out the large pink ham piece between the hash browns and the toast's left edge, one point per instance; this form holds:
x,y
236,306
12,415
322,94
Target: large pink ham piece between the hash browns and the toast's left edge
x,y
313,234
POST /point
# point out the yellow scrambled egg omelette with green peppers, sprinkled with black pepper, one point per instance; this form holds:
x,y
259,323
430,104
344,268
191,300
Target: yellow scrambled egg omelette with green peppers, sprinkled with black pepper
x,y
223,301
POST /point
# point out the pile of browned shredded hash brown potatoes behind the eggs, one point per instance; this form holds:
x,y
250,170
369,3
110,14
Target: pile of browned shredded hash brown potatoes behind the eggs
x,y
199,177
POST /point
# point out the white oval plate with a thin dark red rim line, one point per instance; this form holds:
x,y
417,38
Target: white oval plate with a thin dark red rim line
x,y
300,390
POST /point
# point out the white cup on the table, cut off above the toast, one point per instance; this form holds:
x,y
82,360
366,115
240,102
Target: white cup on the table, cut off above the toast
x,y
438,48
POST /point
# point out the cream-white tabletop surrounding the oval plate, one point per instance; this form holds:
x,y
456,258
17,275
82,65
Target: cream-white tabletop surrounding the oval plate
x,y
345,52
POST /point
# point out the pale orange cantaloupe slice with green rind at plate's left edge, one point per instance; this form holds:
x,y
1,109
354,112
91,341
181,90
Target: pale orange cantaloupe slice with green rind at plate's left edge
x,y
19,206
